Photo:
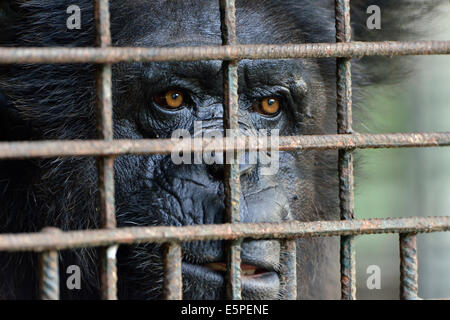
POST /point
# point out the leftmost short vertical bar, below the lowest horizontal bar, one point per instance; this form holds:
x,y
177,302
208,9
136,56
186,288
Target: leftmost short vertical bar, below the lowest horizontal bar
x,y
49,272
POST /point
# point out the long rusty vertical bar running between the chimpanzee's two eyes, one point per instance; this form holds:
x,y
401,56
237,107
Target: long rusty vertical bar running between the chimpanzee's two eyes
x,y
232,176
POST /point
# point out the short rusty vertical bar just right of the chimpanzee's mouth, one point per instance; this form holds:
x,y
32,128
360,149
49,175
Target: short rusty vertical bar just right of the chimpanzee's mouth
x,y
289,269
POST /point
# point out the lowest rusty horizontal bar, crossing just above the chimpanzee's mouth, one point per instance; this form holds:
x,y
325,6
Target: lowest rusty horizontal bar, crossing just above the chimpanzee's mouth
x,y
162,234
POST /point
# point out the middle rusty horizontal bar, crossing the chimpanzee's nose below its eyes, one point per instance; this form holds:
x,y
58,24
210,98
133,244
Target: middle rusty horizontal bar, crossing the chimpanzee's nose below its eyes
x,y
69,148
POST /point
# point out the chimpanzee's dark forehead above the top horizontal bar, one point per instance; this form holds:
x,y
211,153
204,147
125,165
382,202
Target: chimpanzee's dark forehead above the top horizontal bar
x,y
197,22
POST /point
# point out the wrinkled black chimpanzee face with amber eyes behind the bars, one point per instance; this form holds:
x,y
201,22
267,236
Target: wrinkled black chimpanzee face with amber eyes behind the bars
x,y
152,100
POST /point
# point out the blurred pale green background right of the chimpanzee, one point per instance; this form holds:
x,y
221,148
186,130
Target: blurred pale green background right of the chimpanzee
x,y
407,182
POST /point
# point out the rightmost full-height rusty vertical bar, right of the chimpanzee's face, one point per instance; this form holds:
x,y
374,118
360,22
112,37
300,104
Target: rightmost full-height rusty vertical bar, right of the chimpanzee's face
x,y
345,162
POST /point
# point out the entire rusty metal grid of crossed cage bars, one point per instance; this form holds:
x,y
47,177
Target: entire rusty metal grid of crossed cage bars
x,y
108,238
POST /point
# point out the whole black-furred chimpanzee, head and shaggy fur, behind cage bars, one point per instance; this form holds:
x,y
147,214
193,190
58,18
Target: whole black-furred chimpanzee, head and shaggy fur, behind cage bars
x,y
58,102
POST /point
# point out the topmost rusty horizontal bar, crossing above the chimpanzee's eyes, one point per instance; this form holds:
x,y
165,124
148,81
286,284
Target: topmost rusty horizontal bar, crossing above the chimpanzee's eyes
x,y
235,52
